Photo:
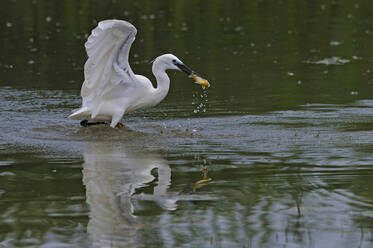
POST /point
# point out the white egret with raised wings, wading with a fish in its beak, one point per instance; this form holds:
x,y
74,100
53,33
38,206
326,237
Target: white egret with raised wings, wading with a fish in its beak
x,y
110,88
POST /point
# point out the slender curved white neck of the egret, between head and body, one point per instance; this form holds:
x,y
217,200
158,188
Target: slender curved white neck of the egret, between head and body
x,y
163,81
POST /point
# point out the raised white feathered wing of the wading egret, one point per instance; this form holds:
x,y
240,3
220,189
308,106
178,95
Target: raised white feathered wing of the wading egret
x,y
107,66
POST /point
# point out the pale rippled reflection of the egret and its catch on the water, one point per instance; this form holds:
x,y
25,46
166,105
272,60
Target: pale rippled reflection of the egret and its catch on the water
x,y
113,175
